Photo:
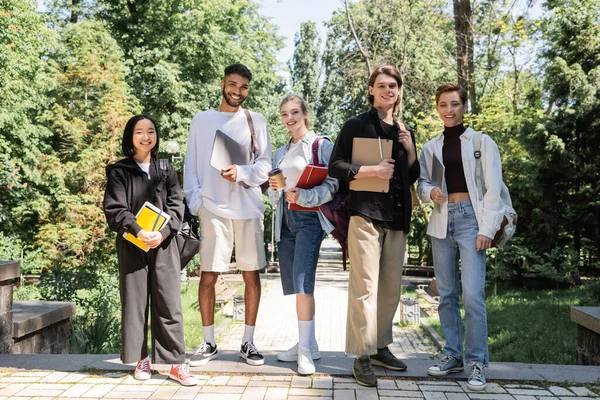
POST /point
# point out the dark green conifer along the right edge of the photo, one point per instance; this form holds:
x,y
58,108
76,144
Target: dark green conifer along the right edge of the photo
x,y
570,144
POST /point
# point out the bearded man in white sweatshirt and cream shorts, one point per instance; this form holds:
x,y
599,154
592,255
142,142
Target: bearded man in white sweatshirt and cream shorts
x,y
229,206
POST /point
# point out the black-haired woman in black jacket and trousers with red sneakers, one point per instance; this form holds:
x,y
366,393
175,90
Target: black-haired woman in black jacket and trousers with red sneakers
x,y
147,278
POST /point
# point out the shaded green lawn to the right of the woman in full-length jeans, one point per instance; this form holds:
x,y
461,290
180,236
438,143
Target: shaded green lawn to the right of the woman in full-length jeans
x,y
530,326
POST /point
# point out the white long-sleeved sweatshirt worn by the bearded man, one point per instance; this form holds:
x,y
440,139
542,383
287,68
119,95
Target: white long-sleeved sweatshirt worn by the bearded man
x,y
204,186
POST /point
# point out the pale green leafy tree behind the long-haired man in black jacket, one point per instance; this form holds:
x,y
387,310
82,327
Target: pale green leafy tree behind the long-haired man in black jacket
x,y
413,36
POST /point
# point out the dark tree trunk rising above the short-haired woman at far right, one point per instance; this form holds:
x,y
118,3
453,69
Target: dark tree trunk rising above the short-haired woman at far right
x,y
465,67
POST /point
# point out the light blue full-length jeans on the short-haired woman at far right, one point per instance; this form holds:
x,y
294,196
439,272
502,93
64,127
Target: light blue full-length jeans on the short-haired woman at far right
x,y
460,244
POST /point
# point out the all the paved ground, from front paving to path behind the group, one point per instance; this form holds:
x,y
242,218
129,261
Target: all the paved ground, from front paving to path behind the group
x,y
86,376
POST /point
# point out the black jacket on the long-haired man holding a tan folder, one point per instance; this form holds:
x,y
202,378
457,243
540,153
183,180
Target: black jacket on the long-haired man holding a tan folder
x,y
376,206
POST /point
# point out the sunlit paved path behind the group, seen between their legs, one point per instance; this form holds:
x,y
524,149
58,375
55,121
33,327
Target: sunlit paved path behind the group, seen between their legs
x,y
277,326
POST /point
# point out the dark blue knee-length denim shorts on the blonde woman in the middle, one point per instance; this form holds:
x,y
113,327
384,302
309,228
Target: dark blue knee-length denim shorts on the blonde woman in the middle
x,y
298,249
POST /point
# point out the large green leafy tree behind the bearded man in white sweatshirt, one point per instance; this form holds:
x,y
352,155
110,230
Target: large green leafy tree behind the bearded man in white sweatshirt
x,y
177,50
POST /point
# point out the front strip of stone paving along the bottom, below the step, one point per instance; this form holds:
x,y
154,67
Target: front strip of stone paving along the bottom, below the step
x,y
38,385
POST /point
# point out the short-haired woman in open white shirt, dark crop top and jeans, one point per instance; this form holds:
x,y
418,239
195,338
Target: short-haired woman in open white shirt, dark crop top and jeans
x,y
461,226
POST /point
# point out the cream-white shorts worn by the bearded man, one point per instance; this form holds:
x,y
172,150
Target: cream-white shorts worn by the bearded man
x,y
217,236
